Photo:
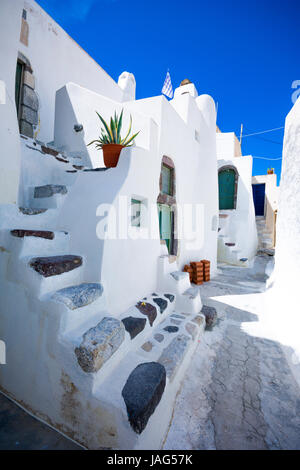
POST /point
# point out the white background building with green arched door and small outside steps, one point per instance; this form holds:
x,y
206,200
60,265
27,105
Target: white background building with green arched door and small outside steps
x,y
237,238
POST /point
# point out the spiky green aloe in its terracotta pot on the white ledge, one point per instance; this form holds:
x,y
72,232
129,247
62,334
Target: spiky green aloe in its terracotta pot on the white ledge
x,y
110,140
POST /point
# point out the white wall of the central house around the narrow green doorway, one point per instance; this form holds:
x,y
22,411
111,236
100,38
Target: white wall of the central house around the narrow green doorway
x,y
128,268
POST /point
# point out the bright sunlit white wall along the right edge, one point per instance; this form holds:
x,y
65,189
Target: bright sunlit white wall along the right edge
x,y
284,297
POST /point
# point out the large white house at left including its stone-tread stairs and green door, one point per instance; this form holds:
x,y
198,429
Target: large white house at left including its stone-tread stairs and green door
x,y
89,318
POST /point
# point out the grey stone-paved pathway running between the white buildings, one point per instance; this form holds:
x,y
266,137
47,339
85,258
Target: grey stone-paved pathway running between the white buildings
x,y
239,392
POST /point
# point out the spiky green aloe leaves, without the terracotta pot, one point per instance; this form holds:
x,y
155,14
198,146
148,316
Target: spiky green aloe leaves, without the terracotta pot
x,y
112,134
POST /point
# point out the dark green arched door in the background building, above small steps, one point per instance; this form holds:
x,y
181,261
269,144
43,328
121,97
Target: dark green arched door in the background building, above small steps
x,y
228,181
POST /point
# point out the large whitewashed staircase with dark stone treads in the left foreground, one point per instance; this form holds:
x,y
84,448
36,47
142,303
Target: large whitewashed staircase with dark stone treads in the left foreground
x,y
108,382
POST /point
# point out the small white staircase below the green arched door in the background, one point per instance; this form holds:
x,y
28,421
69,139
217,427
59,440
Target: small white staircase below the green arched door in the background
x,y
228,249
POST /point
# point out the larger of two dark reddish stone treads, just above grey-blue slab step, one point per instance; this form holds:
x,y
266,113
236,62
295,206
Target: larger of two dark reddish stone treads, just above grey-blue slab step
x,y
54,265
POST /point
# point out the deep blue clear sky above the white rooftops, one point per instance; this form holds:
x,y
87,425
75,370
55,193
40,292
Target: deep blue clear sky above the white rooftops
x,y
244,54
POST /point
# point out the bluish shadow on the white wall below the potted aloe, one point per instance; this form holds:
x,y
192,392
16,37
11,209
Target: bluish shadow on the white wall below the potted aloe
x,y
80,212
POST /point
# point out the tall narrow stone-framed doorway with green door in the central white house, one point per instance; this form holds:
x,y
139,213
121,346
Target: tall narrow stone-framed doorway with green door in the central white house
x,y
166,204
